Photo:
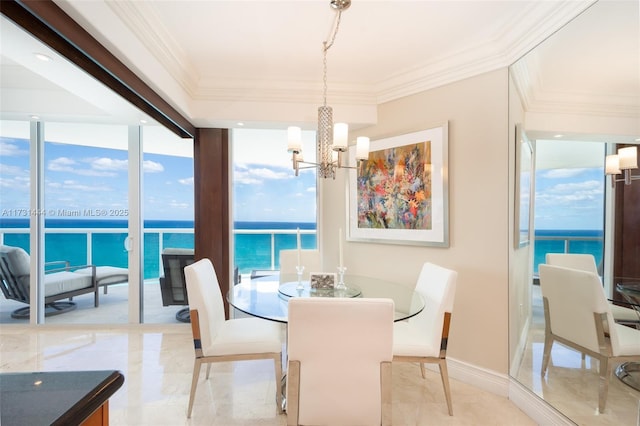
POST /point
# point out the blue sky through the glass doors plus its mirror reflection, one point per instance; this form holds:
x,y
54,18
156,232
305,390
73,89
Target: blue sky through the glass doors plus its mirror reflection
x,y
80,178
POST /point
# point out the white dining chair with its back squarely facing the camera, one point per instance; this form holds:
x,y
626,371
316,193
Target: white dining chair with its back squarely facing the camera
x,y
339,367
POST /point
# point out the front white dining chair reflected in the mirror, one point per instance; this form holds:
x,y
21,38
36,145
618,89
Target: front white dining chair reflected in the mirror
x,y
576,315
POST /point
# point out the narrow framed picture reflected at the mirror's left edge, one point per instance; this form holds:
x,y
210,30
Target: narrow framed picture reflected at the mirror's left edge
x,y
523,189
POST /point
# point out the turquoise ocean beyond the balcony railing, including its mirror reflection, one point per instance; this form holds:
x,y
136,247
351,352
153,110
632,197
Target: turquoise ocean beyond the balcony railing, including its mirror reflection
x,y
256,249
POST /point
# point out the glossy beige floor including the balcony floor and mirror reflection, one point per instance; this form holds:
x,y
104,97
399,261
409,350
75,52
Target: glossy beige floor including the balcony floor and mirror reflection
x,y
157,360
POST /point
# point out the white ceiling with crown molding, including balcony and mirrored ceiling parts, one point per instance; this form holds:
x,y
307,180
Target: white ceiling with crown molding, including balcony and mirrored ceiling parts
x,y
260,62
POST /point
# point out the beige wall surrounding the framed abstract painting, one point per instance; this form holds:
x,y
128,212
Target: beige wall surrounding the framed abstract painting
x,y
476,110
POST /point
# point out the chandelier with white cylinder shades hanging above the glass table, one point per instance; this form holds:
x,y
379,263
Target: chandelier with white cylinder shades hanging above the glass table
x,y
332,139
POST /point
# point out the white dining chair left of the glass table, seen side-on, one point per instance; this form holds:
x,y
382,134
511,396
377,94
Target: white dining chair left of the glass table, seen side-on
x,y
216,339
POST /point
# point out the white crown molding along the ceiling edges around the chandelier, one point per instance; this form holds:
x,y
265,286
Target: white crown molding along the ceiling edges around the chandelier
x,y
513,40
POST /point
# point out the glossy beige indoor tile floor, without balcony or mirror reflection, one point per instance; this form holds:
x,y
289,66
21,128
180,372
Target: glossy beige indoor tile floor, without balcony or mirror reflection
x,y
157,362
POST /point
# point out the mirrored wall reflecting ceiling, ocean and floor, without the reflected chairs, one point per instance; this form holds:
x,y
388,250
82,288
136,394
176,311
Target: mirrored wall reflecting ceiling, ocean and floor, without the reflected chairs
x,y
577,96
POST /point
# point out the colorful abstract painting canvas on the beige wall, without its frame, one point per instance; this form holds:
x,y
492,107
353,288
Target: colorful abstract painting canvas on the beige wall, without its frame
x,y
394,188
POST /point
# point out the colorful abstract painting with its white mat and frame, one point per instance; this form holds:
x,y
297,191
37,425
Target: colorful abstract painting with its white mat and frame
x,y
399,195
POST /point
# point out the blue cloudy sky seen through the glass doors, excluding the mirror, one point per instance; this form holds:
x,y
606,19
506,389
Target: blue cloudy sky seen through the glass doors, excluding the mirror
x,y
91,181
